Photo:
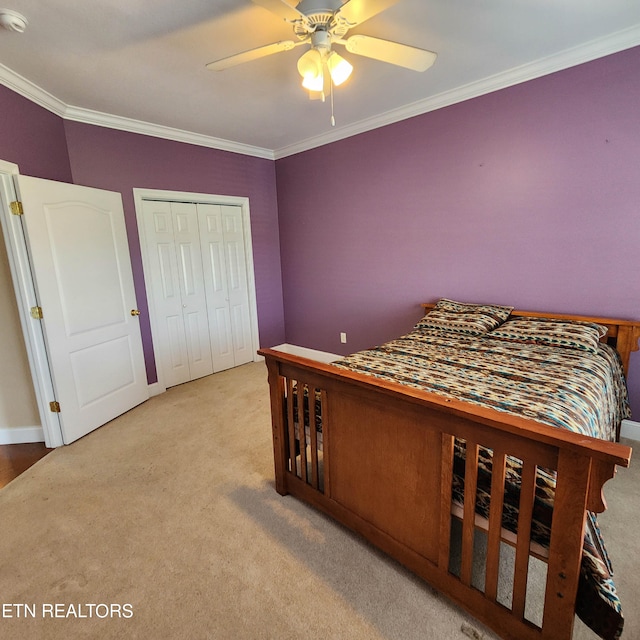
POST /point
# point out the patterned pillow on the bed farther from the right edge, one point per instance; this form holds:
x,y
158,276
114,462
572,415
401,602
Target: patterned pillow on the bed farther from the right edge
x,y
464,318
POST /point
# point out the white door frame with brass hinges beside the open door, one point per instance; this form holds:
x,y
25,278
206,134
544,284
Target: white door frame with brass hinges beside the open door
x,y
26,297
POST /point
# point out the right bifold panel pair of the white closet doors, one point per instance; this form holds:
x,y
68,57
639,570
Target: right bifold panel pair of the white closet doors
x,y
225,273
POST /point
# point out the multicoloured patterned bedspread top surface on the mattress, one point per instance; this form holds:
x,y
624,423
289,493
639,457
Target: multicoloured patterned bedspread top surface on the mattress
x,y
575,390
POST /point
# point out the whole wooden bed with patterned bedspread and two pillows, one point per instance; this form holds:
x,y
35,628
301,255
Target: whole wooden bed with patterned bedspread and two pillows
x,y
419,465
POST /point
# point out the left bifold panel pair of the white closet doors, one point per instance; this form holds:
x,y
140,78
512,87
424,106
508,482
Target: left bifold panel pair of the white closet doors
x,y
177,287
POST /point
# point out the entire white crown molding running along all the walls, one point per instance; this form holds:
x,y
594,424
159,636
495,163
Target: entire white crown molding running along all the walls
x,y
614,43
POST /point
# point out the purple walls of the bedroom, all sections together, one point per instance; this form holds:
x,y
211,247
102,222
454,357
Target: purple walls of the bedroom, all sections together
x,y
527,196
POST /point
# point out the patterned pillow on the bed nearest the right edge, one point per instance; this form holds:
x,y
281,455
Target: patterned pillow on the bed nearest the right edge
x,y
571,334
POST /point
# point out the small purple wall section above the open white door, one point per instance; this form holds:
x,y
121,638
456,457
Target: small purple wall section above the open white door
x,y
33,138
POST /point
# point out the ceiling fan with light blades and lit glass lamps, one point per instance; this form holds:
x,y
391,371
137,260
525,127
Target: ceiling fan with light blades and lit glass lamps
x,y
323,23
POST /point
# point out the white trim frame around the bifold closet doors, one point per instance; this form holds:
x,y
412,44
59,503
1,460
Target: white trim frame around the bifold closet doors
x,y
140,195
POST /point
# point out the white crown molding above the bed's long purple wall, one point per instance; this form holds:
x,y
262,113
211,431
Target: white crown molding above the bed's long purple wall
x,y
619,41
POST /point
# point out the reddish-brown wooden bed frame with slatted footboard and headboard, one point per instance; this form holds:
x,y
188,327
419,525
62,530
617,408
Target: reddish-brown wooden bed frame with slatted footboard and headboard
x,y
384,469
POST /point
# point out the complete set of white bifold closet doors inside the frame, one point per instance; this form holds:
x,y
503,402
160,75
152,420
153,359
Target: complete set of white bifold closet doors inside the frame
x,y
199,288
